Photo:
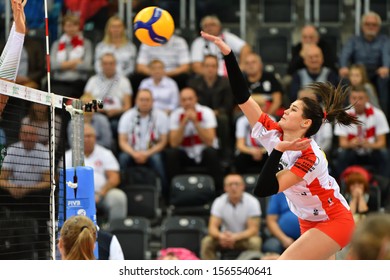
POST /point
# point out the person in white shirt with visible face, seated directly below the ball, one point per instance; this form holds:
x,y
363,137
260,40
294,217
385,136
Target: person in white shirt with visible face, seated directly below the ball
x,y
164,89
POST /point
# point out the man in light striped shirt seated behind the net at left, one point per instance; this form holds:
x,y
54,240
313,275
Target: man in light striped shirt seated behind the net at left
x,y
25,180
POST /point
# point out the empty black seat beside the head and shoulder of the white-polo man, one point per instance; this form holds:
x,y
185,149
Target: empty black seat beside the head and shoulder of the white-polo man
x,y
191,194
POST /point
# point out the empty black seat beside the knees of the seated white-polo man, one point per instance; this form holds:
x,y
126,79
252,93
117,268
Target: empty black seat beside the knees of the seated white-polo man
x,y
183,232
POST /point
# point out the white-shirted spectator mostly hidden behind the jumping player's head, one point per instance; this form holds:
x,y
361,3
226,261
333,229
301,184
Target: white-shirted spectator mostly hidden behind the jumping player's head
x,y
324,136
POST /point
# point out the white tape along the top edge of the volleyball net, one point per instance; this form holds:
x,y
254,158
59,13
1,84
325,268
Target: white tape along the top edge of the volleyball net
x,y
30,94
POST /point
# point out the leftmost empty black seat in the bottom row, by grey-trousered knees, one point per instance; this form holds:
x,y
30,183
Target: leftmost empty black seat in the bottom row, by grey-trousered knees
x,y
133,234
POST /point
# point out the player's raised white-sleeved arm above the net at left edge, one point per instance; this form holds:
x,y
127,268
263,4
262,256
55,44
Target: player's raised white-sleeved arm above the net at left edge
x,y
10,57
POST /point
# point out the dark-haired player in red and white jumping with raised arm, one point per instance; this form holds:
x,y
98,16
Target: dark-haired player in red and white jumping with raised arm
x,y
297,166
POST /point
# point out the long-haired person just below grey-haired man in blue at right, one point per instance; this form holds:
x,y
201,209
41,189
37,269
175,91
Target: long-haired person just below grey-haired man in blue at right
x,y
358,76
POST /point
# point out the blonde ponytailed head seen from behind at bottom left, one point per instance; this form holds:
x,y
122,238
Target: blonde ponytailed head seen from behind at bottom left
x,y
78,237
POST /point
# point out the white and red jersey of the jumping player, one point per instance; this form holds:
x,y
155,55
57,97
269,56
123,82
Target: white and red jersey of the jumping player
x,y
317,197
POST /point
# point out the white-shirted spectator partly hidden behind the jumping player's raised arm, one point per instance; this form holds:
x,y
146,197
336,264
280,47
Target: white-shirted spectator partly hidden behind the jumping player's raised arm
x,y
250,154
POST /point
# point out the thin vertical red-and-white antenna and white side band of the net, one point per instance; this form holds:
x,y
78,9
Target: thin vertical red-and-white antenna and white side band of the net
x,y
52,140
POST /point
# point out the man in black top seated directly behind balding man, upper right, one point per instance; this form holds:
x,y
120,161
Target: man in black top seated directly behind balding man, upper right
x,y
310,36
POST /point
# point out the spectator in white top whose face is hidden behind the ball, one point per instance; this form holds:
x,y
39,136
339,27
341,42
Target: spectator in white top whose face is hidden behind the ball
x,y
174,54
